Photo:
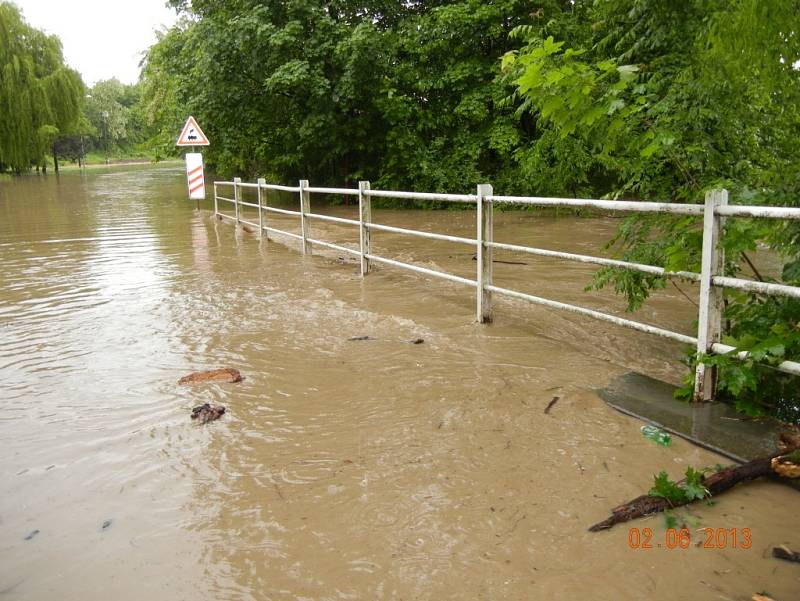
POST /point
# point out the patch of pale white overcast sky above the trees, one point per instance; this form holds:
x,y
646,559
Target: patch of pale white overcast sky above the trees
x,y
101,38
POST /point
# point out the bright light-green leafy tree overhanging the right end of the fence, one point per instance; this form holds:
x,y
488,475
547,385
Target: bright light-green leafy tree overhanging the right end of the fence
x,y
666,100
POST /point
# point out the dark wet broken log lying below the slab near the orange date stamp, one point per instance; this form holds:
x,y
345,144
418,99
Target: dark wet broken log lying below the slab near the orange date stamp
x,y
715,483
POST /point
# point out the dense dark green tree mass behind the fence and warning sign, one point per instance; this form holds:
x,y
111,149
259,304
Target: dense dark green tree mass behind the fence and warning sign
x,y
405,94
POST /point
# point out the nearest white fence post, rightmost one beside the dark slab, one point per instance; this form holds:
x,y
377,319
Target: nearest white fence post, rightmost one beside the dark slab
x,y
709,322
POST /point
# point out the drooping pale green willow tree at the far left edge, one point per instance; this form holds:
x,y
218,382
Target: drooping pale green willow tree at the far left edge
x,y
39,95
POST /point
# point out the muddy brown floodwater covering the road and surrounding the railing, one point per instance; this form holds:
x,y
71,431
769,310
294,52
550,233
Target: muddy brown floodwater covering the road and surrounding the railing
x,y
373,469
